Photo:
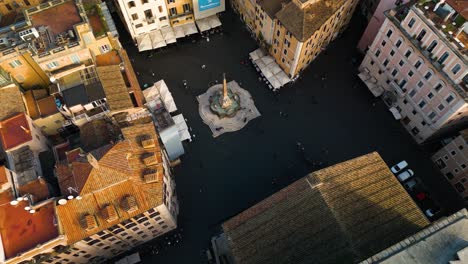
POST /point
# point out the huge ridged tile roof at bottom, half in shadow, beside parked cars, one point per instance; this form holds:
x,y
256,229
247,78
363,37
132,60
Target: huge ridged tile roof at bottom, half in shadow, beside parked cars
x,y
343,213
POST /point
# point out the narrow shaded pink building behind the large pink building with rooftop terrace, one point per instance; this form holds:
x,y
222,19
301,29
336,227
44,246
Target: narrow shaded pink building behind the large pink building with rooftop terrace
x,y
374,12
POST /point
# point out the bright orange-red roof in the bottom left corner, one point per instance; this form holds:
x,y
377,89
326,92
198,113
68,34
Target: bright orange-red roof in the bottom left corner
x,y
20,230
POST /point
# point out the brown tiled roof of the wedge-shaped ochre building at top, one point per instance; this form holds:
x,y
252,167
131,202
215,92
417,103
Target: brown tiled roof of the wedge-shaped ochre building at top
x,y
302,23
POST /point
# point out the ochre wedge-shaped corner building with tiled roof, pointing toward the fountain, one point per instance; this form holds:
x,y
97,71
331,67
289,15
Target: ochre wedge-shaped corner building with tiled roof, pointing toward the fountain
x,y
295,32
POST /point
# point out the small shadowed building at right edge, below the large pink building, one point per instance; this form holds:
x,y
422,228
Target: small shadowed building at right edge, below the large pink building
x,y
452,160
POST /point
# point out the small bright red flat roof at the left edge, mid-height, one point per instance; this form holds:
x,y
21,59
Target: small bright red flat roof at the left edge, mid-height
x,y
15,131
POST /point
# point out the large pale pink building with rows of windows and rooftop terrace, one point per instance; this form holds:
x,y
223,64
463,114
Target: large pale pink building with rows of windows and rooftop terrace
x,y
418,64
